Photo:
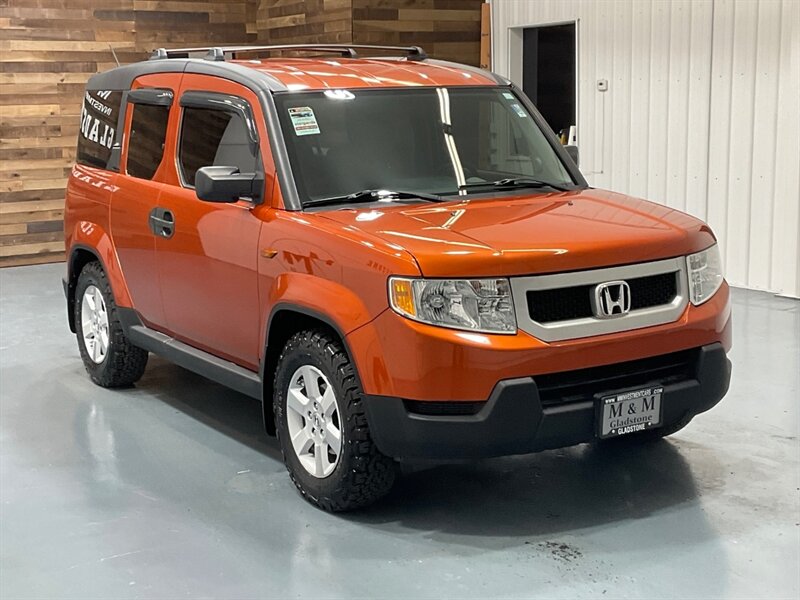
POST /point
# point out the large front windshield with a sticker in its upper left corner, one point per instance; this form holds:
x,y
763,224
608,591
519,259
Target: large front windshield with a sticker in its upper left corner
x,y
427,140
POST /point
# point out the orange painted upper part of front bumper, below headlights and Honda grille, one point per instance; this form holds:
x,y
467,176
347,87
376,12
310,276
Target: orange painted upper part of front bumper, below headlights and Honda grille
x,y
401,358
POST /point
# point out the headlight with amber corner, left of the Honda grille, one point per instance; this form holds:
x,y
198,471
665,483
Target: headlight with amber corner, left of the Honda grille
x,y
472,304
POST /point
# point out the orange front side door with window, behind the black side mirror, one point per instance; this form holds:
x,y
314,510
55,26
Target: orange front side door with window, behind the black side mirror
x,y
208,264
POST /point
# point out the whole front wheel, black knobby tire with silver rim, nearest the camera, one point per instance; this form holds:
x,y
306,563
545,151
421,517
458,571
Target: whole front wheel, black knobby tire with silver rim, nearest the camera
x,y
322,427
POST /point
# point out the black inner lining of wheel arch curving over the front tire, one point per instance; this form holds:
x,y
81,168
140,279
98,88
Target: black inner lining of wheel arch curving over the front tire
x,y
286,319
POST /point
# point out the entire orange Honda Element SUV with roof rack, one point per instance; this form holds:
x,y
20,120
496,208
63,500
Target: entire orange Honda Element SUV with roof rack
x,y
394,254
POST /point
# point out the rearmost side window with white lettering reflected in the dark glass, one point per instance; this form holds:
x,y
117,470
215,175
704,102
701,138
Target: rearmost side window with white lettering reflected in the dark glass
x,y
98,127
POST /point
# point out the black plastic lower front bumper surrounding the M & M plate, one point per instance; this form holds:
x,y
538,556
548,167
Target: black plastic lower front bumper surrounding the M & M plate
x,y
528,414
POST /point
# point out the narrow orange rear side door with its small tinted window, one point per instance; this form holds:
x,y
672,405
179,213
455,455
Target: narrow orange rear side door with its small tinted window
x,y
139,183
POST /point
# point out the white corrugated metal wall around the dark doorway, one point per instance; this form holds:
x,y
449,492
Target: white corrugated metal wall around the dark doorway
x,y
702,113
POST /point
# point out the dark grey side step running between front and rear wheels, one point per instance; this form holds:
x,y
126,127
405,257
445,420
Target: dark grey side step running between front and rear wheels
x,y
202,363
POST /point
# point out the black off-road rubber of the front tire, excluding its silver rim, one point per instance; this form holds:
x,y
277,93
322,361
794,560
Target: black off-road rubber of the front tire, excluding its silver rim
x,y
362,474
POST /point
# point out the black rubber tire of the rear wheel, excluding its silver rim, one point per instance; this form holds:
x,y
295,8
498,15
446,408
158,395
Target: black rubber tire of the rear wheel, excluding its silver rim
x,y
124,363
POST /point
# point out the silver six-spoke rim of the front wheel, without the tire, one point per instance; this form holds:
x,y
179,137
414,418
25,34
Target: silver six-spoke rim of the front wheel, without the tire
x,y
312,416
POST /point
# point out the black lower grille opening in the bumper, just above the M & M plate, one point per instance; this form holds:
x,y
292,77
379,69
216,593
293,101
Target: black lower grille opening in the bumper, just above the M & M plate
x,y
583,384
